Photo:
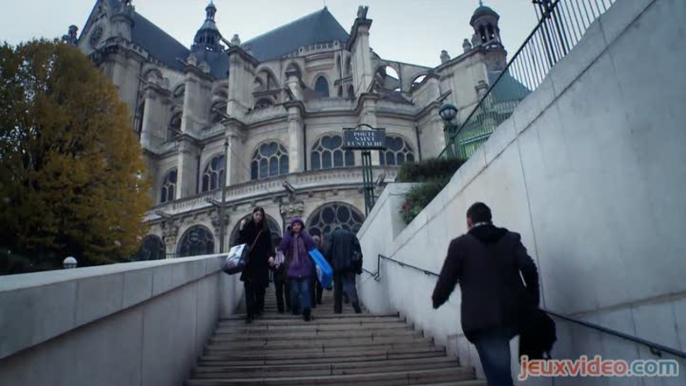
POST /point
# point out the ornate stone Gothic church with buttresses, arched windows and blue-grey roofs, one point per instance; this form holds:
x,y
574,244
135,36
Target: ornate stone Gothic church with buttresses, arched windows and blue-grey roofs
x,y
264,117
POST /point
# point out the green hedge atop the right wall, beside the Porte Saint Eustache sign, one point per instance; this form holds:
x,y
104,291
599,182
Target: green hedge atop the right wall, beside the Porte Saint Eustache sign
x,y
434,174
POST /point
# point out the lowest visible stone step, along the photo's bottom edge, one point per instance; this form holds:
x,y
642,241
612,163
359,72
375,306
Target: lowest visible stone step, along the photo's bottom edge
x,y
381,378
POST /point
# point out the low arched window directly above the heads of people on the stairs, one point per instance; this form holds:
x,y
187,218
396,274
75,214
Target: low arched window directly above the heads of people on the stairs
x,y
322,221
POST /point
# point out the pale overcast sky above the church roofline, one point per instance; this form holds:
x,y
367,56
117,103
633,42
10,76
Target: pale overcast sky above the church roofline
x,y
412,31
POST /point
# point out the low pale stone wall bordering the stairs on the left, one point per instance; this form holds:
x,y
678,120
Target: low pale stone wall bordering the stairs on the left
x,y
126,324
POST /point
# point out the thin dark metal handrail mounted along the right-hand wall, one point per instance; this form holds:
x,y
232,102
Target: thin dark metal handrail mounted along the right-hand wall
x,y
655,348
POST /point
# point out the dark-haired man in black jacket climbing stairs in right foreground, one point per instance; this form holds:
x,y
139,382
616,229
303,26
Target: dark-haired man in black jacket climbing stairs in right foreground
x,y
487,262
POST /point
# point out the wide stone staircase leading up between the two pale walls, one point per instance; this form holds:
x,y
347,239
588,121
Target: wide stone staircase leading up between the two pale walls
x,y
345,349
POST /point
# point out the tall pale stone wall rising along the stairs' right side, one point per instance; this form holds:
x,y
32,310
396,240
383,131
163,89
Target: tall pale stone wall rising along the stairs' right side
x,y
590,170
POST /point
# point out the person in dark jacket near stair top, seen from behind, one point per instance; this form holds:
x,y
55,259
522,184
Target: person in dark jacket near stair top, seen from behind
x,y
346,260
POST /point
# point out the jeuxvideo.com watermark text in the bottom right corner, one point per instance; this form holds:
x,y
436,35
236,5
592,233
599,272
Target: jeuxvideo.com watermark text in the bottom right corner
x,y
597,367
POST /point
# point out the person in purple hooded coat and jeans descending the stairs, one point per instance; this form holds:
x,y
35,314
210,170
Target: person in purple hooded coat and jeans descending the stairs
x,y
296,244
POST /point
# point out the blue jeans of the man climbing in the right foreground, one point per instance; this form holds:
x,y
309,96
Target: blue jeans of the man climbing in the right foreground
x,y
494,351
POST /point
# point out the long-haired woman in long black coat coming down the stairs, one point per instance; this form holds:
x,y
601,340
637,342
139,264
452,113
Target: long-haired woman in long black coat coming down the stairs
x,y
255,233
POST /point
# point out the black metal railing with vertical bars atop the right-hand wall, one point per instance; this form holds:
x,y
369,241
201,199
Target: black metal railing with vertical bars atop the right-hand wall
x,y
562,24
